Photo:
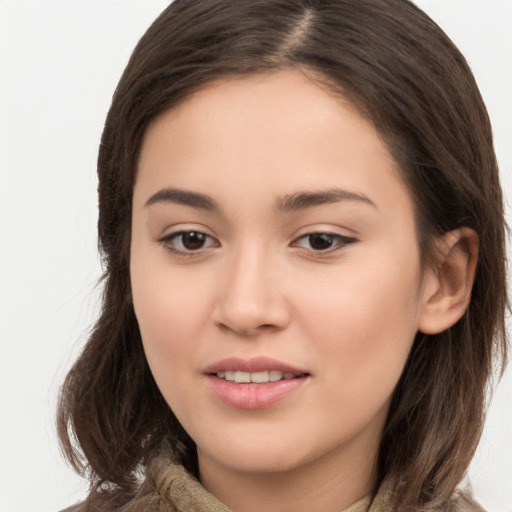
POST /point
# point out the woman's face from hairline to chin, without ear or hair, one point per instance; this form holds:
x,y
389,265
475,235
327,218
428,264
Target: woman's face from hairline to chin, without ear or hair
x,y
275,273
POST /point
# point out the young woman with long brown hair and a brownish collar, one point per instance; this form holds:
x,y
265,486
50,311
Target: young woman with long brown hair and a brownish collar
x,y
302,228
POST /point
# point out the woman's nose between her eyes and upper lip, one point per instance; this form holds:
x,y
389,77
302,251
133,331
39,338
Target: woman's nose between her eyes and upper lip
x,y
251,298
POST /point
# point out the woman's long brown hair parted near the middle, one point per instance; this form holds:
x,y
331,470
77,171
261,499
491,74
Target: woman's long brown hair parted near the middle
x,y
403,74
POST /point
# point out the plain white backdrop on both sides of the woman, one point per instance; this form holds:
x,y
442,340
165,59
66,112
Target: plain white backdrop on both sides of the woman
x,y
59,64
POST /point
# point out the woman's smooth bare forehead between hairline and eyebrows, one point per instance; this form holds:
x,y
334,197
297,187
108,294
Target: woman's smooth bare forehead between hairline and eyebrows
x,y
274,134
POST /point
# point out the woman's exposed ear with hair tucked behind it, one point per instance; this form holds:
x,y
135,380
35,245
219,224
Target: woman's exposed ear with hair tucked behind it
x,y
447,289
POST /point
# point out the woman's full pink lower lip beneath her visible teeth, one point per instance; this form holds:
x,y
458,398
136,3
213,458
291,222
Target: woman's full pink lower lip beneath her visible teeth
x,y
253,396
